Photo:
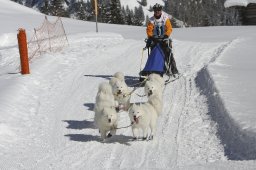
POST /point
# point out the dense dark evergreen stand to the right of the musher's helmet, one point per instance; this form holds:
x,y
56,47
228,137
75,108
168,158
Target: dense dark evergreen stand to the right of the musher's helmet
x,y
205,13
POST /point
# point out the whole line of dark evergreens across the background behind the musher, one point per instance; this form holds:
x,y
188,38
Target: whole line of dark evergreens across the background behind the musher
x,y
192,12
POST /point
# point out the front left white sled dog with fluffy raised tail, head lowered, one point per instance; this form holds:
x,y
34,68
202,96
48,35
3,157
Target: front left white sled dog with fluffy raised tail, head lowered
x,y
105,117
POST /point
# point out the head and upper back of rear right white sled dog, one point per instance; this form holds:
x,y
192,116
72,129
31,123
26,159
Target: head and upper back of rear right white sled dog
x,y
153,88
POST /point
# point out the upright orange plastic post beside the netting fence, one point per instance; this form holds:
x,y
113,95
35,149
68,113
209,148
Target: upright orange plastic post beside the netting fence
x,y
22,41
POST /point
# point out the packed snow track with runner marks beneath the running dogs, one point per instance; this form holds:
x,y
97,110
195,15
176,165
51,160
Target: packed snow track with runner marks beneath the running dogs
x,y
59,131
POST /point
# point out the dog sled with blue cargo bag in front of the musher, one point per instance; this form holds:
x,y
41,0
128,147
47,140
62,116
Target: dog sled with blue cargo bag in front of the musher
x,y
160,58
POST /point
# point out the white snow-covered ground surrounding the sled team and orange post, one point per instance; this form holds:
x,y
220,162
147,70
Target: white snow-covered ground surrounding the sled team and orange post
x,y
46,117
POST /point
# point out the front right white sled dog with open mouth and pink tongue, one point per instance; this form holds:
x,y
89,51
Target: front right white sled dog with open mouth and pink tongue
x,y
143,116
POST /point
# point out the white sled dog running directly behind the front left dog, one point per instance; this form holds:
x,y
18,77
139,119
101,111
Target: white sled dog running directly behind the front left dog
x,y
122,94
